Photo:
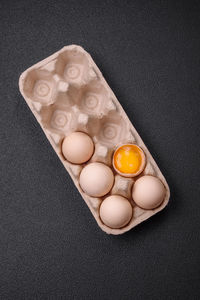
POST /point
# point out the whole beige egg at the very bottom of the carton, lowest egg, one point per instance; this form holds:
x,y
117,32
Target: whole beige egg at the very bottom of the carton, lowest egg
x,y
115,211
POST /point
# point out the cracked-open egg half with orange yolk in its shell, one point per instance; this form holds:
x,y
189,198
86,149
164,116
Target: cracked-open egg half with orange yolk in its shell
x,y
128,159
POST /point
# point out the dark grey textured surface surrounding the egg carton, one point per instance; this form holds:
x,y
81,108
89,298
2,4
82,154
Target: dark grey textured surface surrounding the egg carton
x,y
50,245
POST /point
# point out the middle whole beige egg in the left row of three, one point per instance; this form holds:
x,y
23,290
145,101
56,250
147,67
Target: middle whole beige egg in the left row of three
x,y
96,179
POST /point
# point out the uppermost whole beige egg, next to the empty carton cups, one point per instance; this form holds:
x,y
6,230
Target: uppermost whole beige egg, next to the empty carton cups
x,y
78,147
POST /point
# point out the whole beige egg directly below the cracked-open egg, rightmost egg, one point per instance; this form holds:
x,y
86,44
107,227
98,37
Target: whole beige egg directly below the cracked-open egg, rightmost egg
x,y
148,192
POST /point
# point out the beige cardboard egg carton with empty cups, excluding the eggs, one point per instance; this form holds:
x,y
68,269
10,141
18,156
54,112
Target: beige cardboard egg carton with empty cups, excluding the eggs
x,y
66,92
